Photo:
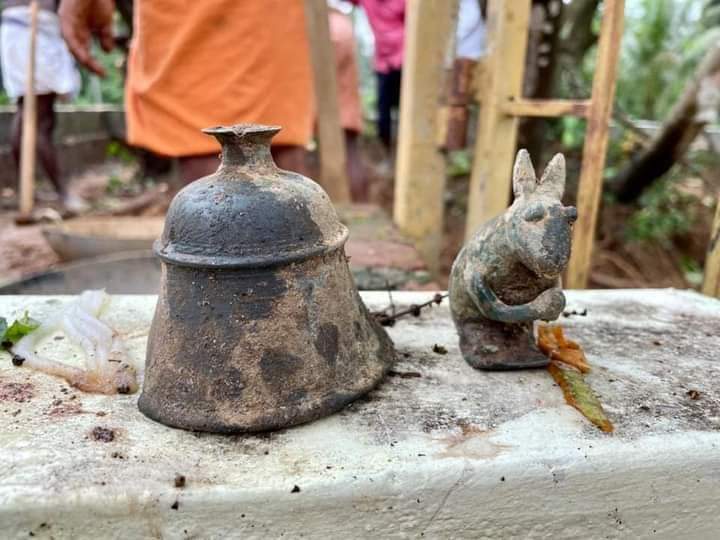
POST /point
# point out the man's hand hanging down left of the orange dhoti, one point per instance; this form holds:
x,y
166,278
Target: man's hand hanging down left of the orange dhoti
x,y
82,19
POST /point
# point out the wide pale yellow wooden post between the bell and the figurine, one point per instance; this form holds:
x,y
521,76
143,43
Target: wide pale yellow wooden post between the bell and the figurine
x,y
420,168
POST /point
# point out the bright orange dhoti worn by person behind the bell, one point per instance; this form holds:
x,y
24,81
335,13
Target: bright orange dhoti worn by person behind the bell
x,y
203,63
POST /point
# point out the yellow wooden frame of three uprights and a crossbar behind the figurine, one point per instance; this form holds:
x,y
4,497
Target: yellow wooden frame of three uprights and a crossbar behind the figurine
x,y
420,179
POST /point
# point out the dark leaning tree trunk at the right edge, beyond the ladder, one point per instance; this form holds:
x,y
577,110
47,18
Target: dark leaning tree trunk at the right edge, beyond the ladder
x,y
697,106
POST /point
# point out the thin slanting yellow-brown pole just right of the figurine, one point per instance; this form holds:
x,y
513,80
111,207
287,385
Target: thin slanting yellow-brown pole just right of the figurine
x,y
596,137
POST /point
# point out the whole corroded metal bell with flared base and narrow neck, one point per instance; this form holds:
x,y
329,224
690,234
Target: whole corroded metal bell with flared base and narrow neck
x,y
258,324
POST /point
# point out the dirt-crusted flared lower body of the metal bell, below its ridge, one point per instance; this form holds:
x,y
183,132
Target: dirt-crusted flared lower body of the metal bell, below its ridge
x,y
240,350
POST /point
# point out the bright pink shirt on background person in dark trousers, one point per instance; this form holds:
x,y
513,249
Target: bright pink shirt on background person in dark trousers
x,y
387,20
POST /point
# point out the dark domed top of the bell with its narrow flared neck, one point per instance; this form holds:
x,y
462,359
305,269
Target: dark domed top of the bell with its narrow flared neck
x,y
258,215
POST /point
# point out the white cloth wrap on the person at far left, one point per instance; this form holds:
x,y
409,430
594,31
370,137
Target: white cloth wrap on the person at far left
x,y
55,70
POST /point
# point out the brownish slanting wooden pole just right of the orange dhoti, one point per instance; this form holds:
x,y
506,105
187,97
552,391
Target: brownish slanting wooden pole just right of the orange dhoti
x,y
331,139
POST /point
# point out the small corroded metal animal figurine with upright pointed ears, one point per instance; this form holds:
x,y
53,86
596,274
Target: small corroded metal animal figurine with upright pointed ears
x,y
508,274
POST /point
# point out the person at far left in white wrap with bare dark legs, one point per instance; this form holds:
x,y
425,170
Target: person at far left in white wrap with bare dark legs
x,y
55,77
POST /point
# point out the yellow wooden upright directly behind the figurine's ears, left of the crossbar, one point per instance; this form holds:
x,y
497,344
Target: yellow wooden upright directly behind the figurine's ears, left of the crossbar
x,y
491,175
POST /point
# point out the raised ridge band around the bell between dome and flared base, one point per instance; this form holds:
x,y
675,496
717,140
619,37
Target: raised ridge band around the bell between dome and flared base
x,y
180,258
